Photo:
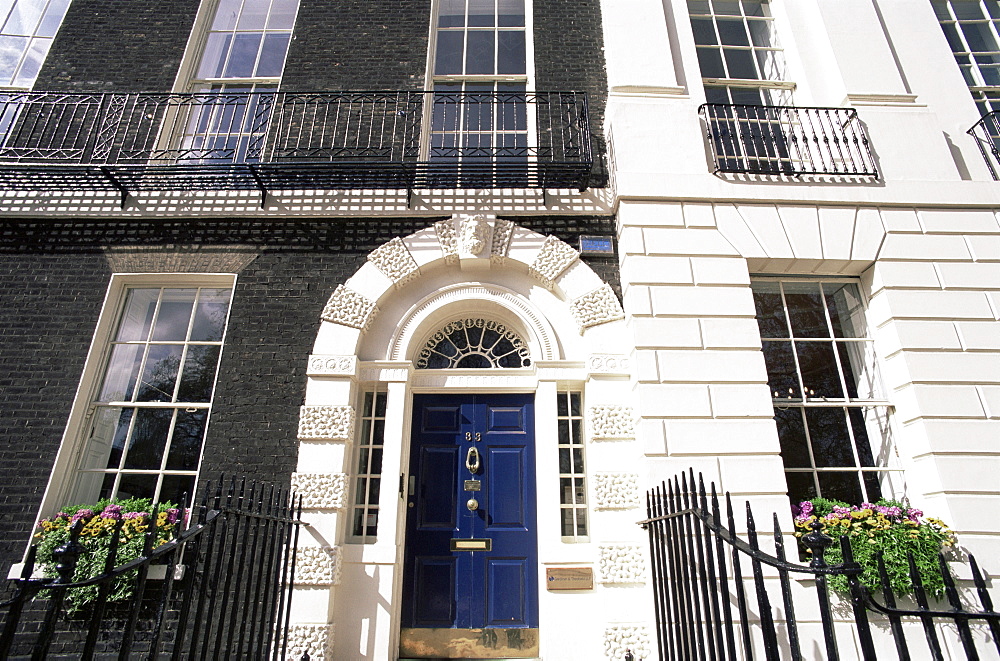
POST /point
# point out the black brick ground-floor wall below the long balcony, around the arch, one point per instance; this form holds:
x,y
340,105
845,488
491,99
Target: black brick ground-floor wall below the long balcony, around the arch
x,y
53,280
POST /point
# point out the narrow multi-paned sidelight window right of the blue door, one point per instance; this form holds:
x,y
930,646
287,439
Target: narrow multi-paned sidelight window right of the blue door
x,y
572,474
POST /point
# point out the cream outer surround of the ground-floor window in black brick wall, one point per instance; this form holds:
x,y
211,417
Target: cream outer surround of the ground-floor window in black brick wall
x,y
73,443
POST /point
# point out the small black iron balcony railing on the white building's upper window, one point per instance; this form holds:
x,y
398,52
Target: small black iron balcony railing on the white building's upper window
x,y
784,140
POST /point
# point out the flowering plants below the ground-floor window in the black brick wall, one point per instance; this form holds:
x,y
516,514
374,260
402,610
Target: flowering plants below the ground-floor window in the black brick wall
x,y
100,521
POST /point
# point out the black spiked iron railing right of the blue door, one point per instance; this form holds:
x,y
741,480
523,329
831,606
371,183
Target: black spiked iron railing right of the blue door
x,y
707,607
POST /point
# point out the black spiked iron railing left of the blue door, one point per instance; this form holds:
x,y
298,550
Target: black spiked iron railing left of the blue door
x,y
226,591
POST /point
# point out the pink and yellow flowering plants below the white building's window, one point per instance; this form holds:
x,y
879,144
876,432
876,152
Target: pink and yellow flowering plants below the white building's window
x,y
889,527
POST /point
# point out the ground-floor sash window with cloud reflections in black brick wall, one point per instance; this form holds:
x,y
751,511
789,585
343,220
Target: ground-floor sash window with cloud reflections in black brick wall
x,y
147,420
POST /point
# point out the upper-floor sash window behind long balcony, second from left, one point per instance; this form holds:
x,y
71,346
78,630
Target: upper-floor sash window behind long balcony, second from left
x,y
236,76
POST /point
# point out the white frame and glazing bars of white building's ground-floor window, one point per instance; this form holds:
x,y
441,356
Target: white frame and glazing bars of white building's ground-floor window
x,y
876,409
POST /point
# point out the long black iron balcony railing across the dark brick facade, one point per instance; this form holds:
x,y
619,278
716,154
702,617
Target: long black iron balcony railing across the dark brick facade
x,y
293,141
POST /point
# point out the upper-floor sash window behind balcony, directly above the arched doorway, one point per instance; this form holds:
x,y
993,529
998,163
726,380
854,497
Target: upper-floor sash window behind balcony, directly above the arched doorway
x,y
480,75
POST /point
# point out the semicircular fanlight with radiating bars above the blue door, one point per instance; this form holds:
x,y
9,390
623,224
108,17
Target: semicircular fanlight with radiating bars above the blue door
x,y
474,344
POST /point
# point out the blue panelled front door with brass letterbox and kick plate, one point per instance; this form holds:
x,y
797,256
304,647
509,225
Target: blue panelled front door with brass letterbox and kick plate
x,y
470,527
